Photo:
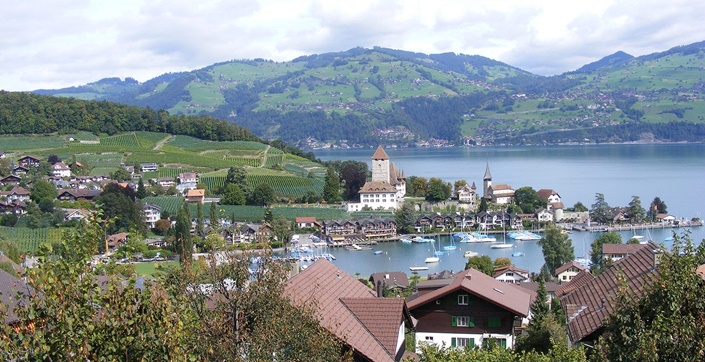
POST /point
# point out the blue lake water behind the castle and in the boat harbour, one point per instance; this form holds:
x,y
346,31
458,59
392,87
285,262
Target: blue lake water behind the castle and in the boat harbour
x,y
673,172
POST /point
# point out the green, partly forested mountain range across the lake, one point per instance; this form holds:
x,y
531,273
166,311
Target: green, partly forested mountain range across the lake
x,y
369,96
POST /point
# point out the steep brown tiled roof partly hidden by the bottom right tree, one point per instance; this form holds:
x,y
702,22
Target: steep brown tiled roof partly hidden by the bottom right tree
x,y
587,307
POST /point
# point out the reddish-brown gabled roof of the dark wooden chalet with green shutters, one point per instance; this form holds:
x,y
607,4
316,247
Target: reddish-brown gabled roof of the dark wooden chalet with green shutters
x,y
507,296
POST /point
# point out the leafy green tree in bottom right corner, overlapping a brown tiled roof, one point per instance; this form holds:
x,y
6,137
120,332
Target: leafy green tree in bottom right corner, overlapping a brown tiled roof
x,y
664,323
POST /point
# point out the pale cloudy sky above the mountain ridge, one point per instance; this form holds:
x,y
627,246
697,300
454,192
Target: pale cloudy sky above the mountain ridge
x,y
48,44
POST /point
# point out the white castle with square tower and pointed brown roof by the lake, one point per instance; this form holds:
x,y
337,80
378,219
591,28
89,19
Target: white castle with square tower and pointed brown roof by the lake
x,y
387,188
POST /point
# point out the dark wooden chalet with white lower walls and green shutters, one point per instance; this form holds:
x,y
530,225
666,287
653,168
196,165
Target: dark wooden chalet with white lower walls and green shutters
x,y
471,309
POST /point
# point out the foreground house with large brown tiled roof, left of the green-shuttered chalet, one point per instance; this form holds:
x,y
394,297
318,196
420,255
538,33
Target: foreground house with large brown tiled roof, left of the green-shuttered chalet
x,y
370,327
